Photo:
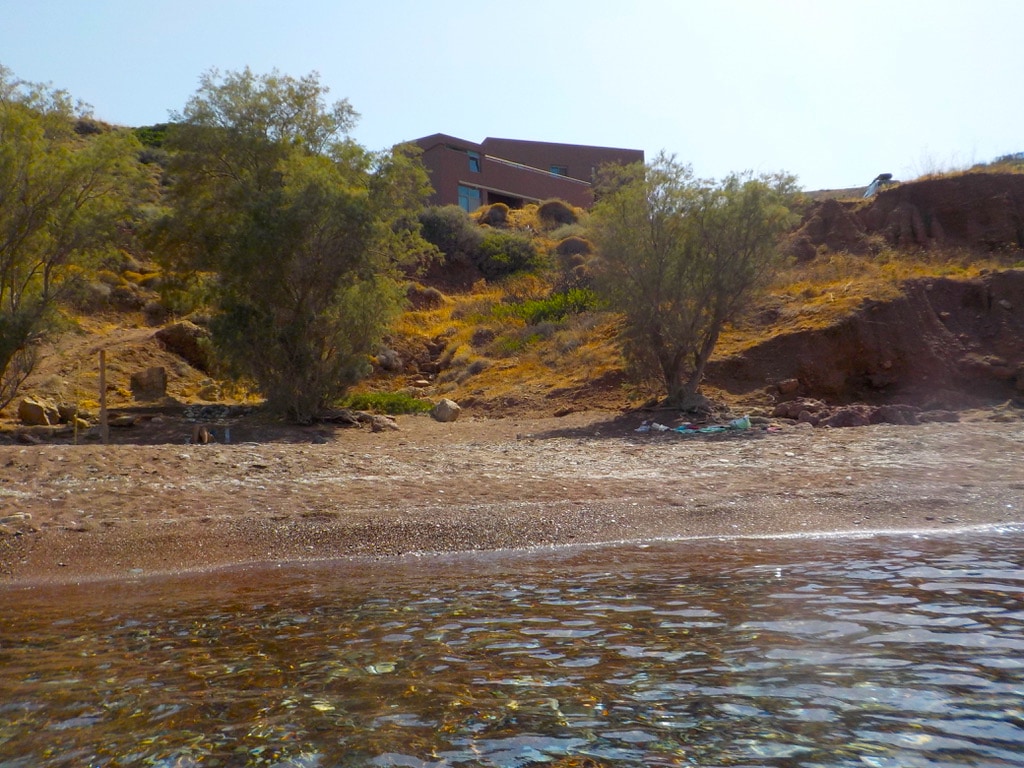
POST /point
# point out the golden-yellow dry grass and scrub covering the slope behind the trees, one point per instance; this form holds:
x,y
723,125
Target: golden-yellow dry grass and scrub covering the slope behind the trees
x,y
473,344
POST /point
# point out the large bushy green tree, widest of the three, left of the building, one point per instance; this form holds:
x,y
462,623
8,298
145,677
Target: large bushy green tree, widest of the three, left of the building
x,y
303,230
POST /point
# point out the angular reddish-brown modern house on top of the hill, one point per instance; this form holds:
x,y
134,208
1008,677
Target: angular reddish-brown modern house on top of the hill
x,y
515,173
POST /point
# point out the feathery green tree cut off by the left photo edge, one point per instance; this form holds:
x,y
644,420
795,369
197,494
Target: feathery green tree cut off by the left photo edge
x,y
63,197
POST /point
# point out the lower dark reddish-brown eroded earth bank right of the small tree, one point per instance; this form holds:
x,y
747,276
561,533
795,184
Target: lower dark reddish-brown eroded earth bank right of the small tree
x,y
944,345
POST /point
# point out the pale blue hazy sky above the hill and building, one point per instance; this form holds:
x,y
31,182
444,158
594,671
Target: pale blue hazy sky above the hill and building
x,y
834,93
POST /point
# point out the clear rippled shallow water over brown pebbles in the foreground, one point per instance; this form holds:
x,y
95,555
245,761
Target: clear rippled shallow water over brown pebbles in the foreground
x,y
887,653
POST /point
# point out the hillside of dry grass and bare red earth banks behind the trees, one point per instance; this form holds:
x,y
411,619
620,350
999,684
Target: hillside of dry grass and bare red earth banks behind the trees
x,y
916,296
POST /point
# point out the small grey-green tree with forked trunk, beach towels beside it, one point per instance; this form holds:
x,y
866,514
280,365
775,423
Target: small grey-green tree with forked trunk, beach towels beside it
x,y
680,258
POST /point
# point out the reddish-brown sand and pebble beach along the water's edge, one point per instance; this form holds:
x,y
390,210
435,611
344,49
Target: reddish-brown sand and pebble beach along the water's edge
x,y
73,514
